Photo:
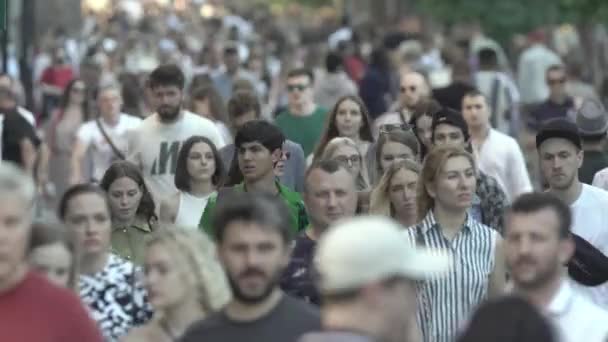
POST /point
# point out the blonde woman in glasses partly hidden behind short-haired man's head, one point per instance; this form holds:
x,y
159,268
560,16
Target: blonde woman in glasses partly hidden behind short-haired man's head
x,y
345,151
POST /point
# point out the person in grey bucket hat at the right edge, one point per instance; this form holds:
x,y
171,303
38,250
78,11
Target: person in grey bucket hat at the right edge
x,y
592,122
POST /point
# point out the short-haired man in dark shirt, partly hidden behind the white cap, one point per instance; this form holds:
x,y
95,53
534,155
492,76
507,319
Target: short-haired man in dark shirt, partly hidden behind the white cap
x,y
330,194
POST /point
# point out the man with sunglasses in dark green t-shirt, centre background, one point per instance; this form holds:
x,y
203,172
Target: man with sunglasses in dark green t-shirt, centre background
x,y
303,121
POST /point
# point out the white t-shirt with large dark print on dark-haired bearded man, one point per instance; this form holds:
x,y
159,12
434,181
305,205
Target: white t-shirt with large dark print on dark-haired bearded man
x,y
155,145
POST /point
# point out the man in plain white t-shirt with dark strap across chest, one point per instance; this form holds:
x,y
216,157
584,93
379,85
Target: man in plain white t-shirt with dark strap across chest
x,y
104,138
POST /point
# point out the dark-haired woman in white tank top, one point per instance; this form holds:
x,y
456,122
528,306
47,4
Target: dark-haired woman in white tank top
x,y
198,174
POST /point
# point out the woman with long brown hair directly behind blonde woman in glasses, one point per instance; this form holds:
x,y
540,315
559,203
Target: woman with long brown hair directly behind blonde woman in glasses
x,y
349,119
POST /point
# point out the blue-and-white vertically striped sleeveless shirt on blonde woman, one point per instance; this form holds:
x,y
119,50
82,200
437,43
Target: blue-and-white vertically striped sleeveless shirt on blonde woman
x,y
446,302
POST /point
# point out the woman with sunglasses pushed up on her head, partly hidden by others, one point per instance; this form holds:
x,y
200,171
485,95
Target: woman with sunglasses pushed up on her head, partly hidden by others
x,y
393,146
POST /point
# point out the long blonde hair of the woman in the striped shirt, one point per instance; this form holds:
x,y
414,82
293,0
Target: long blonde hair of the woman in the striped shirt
x,y
433,164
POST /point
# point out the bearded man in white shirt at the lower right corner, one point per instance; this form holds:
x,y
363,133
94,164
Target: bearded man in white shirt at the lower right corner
x,y
537,244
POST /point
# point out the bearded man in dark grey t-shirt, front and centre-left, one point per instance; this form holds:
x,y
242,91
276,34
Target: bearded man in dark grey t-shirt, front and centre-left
x,y
253,236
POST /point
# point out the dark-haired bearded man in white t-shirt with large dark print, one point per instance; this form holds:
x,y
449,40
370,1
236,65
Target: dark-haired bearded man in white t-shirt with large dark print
x,y
155,144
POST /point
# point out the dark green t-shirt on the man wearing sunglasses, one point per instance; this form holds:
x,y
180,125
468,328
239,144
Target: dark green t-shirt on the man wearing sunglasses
x,y
304,130
